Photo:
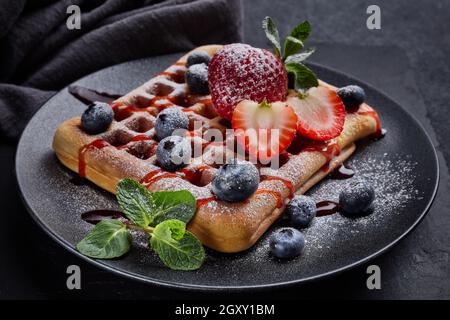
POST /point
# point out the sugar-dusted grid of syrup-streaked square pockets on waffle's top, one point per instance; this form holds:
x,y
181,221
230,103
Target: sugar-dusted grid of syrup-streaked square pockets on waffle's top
x,y
133,128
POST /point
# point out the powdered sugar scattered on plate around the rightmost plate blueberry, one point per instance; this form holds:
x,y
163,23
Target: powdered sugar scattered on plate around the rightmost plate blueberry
x,y
393,181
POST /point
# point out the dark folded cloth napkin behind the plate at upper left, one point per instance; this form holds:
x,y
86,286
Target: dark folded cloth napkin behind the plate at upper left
x,y
39,55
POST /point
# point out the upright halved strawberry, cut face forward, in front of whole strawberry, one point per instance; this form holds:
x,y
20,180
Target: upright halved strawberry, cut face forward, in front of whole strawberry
x,y
264,129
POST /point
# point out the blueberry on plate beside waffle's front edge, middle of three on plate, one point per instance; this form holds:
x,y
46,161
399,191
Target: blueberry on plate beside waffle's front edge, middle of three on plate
x,y
301,210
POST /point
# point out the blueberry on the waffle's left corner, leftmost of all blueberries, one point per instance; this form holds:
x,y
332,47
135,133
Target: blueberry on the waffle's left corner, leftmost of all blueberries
x,y
97,118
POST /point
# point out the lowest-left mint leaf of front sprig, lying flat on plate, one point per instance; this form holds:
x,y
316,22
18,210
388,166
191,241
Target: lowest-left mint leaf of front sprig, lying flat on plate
x,y
109,239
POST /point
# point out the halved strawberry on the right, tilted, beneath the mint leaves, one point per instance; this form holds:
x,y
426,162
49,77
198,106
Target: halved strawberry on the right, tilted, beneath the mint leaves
x,y
321,113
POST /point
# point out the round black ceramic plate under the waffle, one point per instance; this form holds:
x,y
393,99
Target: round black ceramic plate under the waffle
x,y
403,168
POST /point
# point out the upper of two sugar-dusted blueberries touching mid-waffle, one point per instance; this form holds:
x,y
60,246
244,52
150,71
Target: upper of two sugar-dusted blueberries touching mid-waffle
x,y
169,120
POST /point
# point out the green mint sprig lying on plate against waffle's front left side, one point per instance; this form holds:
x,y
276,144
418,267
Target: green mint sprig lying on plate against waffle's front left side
x,y
162,215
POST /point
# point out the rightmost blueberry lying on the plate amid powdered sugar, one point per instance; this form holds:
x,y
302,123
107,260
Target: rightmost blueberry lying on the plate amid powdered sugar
x,y
357,198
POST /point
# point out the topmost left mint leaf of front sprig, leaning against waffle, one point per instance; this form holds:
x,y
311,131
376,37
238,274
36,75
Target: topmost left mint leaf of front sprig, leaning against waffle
x,y
135,201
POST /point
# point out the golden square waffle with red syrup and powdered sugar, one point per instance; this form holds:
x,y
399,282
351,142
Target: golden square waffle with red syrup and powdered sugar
x,y
127,150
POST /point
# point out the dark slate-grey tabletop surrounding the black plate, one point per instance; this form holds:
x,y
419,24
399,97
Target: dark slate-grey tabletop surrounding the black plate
x,y
407,59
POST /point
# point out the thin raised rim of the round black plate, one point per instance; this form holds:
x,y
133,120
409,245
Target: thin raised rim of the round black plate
x,y
234,288
